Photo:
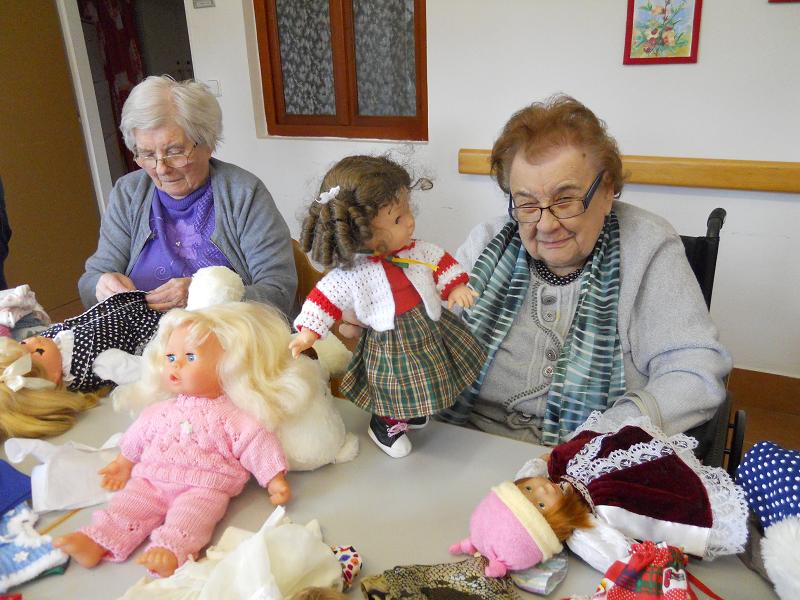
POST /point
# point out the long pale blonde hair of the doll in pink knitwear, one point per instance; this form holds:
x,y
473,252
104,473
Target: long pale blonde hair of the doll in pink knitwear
x,y
256,371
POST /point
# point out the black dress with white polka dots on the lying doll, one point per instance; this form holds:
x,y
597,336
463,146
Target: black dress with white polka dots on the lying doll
x,y
122,321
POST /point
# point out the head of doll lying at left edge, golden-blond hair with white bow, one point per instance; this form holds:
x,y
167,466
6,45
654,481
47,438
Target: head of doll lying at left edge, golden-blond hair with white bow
x,y
33,400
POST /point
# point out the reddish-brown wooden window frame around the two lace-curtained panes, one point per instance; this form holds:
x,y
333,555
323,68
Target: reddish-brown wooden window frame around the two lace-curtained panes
x,y
346,123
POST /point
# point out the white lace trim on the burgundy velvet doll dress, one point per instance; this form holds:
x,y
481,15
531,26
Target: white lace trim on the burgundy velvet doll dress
x,y
728,504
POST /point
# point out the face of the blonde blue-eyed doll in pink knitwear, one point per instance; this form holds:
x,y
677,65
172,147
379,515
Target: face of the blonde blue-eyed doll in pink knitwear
x,y
192,368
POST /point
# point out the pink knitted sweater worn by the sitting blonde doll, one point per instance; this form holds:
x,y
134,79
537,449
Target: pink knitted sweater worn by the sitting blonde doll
x,y
202,442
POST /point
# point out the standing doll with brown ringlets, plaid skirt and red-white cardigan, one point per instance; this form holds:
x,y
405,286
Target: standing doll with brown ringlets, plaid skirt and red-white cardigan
x,y
414,357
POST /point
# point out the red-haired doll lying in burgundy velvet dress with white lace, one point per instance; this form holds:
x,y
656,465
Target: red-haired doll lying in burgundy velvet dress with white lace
x,y
643,484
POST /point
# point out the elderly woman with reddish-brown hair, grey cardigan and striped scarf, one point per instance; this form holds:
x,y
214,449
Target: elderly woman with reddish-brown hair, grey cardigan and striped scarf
x,y
586,303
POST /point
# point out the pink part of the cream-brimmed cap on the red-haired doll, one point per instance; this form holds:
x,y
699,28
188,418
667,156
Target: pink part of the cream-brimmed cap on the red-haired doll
x,y
498,535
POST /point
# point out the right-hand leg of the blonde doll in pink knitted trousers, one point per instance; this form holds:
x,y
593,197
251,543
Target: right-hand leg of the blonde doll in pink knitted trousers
x,y
188,526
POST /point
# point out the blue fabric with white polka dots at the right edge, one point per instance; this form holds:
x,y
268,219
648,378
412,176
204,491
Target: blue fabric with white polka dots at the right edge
x,y
770,476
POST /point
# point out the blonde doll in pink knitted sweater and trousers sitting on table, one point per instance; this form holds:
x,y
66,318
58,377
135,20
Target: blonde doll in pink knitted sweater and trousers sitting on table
x,y
186,455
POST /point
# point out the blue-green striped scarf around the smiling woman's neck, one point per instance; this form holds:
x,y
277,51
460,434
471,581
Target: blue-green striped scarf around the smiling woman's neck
x,y
589,373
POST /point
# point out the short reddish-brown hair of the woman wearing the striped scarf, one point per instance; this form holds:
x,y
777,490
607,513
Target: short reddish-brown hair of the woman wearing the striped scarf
x,y
558,121
